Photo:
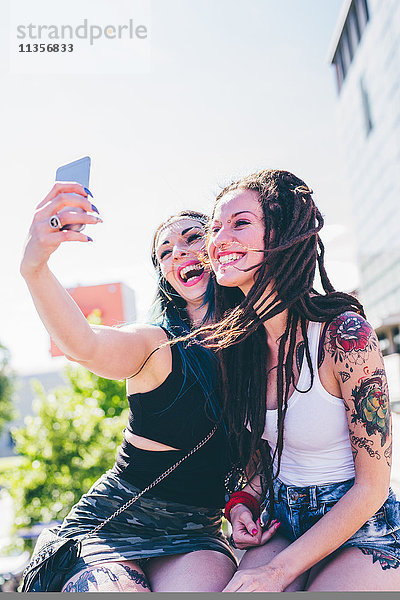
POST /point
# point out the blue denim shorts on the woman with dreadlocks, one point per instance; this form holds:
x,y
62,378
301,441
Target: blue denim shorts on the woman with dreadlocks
x,y
299,508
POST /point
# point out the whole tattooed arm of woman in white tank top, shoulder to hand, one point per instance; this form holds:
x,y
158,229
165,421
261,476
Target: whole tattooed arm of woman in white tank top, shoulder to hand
x,y
356,364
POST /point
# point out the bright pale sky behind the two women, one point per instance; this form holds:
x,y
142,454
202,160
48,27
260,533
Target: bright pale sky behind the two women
x,y
224,88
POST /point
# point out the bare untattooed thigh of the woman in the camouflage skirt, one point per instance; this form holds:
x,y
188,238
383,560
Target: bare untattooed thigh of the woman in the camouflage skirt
x,y
199,571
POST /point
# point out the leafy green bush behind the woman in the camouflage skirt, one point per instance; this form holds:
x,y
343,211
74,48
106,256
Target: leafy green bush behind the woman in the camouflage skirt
x,y
69,442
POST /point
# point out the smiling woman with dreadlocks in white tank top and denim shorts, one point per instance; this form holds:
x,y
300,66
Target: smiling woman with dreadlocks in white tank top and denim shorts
x,y
303,372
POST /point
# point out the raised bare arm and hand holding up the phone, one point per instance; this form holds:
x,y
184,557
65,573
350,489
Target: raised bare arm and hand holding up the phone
x,y
115,353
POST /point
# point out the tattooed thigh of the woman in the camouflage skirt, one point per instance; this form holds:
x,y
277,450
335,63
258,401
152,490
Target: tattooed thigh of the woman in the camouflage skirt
x,y
124,576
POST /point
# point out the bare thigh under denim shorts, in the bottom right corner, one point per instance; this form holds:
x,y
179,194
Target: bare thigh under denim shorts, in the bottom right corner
x,y
350,570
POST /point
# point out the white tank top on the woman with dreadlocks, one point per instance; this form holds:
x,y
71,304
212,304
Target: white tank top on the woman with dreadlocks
x,y
316,443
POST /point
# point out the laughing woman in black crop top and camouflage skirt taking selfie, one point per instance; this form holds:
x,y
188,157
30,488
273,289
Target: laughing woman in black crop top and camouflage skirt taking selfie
x,y
170,539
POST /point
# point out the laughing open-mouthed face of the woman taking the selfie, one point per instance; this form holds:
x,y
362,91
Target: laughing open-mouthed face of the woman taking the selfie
x,y
180,246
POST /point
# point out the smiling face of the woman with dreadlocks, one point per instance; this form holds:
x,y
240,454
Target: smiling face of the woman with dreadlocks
x,y
236,240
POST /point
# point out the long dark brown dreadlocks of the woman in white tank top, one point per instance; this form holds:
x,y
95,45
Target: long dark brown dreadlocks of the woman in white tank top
x,y
283,281
